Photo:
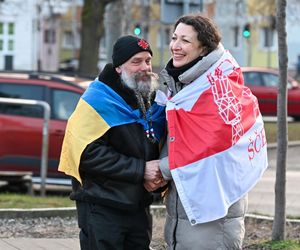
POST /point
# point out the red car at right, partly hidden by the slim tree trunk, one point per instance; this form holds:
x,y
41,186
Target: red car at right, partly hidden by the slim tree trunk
x,y
263,83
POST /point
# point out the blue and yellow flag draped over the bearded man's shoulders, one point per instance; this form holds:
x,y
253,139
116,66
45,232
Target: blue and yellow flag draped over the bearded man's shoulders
x,y
99,109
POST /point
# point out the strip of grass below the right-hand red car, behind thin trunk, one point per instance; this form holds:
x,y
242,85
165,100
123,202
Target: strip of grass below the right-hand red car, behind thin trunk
x,y
293,131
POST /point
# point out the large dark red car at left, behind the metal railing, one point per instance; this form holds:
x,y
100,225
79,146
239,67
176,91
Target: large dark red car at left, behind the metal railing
x,y
21,125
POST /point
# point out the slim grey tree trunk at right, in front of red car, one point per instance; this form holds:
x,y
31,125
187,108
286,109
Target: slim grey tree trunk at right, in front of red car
x,y
278,231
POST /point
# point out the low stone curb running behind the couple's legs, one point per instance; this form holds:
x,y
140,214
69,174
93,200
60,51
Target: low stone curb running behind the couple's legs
x,y
65,212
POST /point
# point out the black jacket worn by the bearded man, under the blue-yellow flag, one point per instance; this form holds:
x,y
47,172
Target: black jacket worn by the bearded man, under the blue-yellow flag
x,y
112,167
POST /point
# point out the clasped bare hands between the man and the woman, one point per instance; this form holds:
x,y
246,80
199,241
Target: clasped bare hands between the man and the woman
x,y
153,178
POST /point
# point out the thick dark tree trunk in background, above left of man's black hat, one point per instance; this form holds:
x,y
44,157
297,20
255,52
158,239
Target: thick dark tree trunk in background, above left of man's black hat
x,y
91,32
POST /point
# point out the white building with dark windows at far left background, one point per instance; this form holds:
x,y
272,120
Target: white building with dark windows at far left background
x,y
18,36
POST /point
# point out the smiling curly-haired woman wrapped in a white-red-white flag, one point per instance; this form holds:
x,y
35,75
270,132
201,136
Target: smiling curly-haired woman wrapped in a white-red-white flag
x,y
213,120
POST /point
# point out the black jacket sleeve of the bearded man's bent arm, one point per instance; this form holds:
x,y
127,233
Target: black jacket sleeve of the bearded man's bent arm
x,y
100,160
